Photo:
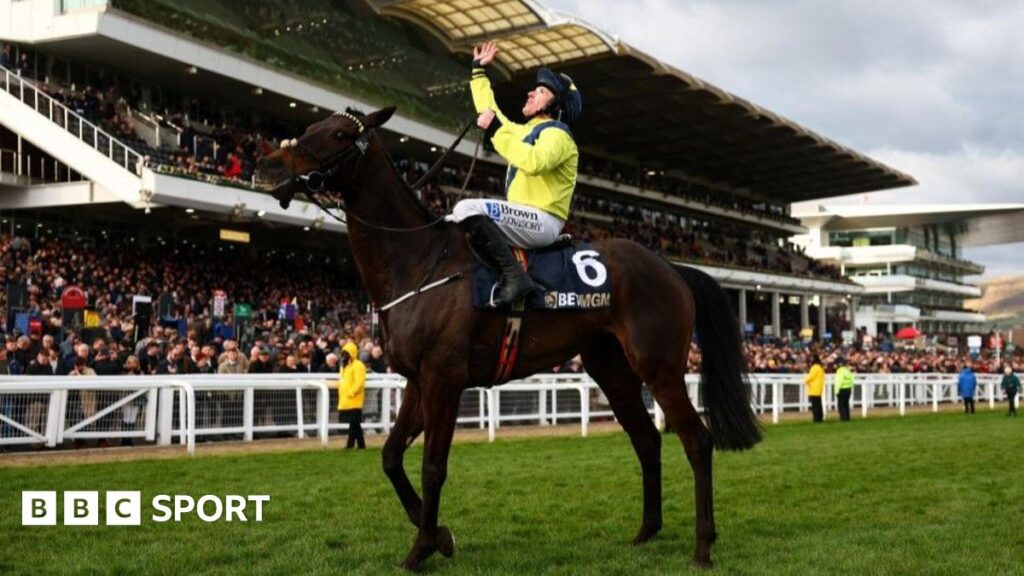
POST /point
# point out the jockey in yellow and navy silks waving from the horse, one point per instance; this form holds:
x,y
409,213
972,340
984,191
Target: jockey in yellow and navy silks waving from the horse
x,y
542,174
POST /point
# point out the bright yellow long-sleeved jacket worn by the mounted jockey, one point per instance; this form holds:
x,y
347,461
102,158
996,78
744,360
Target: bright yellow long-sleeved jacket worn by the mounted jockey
x,y
543,175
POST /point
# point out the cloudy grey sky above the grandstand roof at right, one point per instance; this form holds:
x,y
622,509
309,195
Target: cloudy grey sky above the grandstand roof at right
x,y
934,89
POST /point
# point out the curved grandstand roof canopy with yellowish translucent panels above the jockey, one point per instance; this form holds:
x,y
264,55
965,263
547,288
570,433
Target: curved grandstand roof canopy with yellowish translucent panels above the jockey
x,y
645,111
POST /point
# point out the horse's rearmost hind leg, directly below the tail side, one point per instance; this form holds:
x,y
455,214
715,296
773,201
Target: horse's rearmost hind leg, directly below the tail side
x,y
671,395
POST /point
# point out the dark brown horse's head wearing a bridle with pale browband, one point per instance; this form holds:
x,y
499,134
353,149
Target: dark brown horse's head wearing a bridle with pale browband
x,y
324,158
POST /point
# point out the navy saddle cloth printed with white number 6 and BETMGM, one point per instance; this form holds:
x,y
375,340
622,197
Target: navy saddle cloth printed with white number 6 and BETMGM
x,y
573,277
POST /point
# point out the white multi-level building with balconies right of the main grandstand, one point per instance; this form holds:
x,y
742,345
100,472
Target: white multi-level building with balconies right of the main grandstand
x,y
910,260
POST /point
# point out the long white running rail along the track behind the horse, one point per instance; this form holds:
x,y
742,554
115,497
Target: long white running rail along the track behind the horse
x,y
53,410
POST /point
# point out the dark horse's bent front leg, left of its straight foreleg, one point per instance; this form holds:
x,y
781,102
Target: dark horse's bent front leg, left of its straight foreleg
x,y
408,426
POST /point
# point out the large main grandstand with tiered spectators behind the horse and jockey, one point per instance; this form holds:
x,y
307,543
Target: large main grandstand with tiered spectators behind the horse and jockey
x,y
145,119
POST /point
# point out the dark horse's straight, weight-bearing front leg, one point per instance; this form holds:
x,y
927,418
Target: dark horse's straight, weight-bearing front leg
x,y
440,406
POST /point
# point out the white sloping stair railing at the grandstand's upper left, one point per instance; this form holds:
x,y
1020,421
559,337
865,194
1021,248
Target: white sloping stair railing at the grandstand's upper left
x,y
71,121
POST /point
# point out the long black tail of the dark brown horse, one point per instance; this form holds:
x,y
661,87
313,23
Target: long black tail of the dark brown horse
x,y
726,392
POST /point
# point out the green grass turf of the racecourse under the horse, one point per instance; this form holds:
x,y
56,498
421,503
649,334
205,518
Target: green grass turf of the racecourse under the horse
x,y
926,495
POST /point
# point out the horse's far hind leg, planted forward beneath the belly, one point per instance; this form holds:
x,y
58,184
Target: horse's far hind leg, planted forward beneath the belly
x,y
607,363
